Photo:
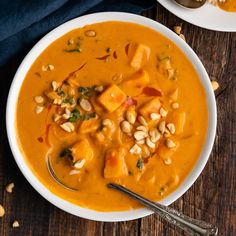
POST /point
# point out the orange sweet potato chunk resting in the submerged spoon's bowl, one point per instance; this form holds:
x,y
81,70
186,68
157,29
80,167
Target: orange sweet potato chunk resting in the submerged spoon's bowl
x,y
82,150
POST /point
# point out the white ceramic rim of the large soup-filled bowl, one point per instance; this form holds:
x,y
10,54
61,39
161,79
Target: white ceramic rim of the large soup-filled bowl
x,y
25,66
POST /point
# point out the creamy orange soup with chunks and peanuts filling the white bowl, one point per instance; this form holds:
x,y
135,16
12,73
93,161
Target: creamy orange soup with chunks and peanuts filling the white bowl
x,y
112,102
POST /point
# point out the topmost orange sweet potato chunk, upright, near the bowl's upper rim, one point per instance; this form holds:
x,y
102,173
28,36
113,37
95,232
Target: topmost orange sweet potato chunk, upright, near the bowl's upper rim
x,y
140,57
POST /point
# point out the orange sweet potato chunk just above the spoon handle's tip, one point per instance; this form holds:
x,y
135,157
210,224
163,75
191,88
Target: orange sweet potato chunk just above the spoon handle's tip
x,y
115,165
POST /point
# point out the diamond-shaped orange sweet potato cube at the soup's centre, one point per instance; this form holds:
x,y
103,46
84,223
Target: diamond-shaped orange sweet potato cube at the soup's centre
x,y
112,98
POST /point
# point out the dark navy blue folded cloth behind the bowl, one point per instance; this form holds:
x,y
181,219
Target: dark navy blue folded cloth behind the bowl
x,y
23,22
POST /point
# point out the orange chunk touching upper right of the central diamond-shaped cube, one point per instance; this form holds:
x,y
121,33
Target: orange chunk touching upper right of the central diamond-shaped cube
x,y
134,85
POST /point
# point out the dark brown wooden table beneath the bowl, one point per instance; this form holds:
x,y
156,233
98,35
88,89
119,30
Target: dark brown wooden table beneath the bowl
x,y
213,196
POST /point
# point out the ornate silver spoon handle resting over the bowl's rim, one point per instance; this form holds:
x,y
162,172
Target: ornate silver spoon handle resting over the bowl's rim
x,y
189,225
